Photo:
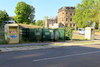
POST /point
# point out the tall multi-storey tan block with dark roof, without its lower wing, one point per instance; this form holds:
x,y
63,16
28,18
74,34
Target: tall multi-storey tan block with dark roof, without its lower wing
x,y
65,15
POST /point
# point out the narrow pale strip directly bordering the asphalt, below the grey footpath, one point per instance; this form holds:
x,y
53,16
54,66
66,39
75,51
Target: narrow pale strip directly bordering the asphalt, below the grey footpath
x,y
54,45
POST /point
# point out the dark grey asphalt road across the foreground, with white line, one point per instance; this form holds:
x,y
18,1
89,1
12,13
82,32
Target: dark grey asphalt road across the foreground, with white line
x,y
74,56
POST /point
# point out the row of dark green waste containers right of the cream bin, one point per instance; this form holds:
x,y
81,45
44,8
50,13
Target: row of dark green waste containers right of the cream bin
x,y
34,35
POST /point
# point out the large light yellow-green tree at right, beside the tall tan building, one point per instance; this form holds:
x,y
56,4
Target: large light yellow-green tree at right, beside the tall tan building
x,y
86,11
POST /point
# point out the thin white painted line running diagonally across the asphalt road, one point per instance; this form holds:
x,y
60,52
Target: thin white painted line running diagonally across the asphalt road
x,y
65,56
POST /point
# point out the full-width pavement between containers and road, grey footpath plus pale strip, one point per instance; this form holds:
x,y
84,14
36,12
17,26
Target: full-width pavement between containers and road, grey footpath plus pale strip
x,y
31,46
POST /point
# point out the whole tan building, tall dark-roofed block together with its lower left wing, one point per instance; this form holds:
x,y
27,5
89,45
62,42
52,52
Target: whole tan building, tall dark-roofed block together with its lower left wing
x,y
64,19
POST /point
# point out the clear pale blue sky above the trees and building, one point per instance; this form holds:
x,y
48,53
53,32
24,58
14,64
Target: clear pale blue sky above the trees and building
x,y
42,7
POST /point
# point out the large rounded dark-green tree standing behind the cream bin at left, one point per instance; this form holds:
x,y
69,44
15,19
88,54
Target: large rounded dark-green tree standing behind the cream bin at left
x,y
24,13
